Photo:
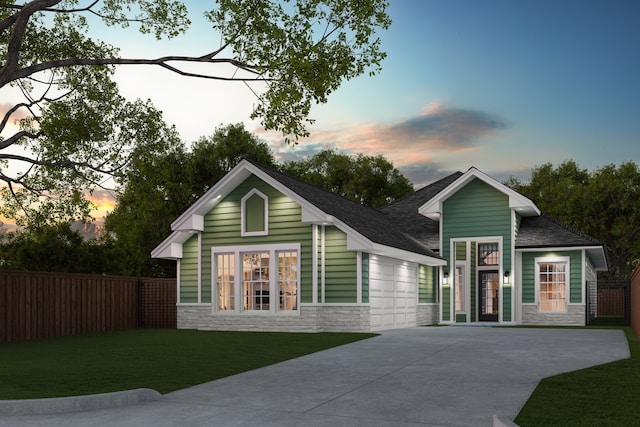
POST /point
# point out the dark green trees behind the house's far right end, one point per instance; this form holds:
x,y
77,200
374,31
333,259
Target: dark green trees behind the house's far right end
x,y
604,204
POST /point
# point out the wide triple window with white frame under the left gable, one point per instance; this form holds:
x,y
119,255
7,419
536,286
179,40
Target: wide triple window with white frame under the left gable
x,y
266,278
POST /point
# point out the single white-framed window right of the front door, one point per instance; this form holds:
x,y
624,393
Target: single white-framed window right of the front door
x,y
552,281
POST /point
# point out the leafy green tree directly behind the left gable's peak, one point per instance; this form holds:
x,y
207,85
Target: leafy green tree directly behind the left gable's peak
x,y
161,185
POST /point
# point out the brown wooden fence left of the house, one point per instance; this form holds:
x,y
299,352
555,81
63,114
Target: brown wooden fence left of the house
x,y
38,305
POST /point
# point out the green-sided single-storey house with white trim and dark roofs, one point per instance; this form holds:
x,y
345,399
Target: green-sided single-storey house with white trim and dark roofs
x,y
264,251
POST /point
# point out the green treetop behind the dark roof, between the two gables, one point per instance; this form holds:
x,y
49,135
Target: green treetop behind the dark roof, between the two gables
x,y
368,180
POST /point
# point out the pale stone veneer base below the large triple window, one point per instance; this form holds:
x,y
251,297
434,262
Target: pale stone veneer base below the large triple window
x,y
321,318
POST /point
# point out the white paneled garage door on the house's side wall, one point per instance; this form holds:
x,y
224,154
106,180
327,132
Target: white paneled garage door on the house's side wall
x,y
393,297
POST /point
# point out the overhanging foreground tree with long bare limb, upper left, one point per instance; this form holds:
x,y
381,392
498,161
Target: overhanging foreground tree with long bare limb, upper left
x,y
75,127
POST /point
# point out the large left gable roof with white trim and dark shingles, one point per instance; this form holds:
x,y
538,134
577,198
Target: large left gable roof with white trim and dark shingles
x,y
366,228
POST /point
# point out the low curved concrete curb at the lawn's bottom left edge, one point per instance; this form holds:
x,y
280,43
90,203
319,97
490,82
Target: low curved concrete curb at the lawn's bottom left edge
x,y
90,402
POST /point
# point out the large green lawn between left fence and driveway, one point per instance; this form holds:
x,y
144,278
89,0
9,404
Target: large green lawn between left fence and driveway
x,y
162,359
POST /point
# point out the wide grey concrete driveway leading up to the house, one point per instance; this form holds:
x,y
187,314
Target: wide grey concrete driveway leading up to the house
x,y
431,376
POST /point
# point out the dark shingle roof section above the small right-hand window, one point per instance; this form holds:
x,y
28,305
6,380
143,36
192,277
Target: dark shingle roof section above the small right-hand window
x,y
545,231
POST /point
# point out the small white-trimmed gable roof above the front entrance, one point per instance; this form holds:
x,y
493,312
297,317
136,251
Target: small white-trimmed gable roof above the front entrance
x,y
432,208
